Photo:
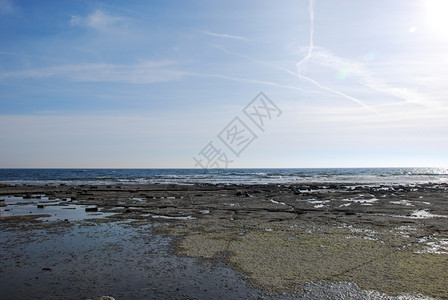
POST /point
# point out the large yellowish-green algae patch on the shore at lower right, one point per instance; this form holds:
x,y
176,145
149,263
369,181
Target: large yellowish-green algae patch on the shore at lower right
x,y
282,256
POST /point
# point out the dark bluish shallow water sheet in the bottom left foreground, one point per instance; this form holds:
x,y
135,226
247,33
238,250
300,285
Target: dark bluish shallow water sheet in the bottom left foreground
x,y
87,260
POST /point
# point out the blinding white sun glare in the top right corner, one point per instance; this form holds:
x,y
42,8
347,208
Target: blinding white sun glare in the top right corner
x,y
437,16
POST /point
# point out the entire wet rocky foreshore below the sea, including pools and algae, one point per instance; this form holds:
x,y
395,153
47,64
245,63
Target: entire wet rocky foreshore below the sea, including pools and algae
x,y
309,241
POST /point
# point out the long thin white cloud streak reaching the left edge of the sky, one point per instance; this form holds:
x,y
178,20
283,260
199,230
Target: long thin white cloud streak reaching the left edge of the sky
x,y
141,73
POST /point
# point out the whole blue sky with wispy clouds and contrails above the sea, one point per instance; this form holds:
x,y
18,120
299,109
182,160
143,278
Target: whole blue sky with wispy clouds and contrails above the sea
x,y
166,84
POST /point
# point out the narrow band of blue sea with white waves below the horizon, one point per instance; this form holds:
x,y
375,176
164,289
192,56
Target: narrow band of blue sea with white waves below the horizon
x,y
366,176
